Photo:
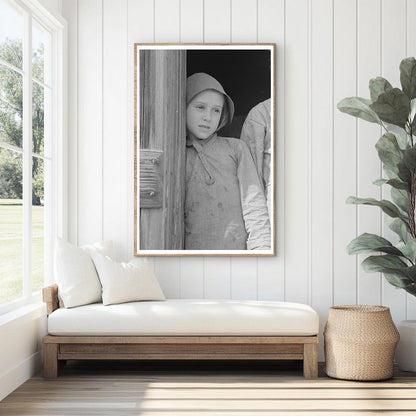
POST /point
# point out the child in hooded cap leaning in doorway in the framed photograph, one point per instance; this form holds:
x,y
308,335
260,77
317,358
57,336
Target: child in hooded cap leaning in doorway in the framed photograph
x,y
225,206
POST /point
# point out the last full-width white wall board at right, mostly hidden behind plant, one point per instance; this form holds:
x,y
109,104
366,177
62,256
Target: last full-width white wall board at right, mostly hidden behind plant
x,y
393,51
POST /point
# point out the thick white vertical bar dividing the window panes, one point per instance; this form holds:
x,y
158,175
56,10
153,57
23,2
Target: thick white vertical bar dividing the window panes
x,y
27,157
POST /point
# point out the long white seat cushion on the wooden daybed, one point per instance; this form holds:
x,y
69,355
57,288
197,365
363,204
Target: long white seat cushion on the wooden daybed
x,y
187,317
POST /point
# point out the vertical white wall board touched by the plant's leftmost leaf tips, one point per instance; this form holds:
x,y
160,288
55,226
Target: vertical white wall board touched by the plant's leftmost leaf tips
x,y
344,180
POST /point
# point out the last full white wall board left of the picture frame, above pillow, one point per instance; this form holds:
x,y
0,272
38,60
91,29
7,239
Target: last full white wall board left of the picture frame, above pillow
x,y
115,158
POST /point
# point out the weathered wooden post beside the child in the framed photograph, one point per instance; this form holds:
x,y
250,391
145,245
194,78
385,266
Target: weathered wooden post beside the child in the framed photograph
x,y
162,128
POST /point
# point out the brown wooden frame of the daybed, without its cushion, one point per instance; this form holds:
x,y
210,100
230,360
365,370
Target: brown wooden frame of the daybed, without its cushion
x,y
58,349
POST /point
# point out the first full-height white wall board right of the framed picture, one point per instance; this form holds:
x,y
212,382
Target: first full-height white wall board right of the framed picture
x,y
297,201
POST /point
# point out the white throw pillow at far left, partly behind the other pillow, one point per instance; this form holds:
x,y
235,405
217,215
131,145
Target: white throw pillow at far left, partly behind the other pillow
x,y
75,273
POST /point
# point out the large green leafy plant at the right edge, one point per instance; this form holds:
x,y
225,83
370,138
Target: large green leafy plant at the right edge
x,y
394,109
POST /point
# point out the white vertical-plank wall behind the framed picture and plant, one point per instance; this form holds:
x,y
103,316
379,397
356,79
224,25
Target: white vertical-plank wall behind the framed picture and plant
x,y
326,50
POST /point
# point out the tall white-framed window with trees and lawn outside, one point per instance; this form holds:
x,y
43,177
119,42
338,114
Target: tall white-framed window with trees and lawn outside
x,y
31,140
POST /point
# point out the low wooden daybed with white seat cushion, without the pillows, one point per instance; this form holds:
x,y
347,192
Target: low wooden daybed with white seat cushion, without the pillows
x,y
181,329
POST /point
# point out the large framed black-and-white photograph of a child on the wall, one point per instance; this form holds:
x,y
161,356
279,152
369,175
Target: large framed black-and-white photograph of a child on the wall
x,y
204,131
